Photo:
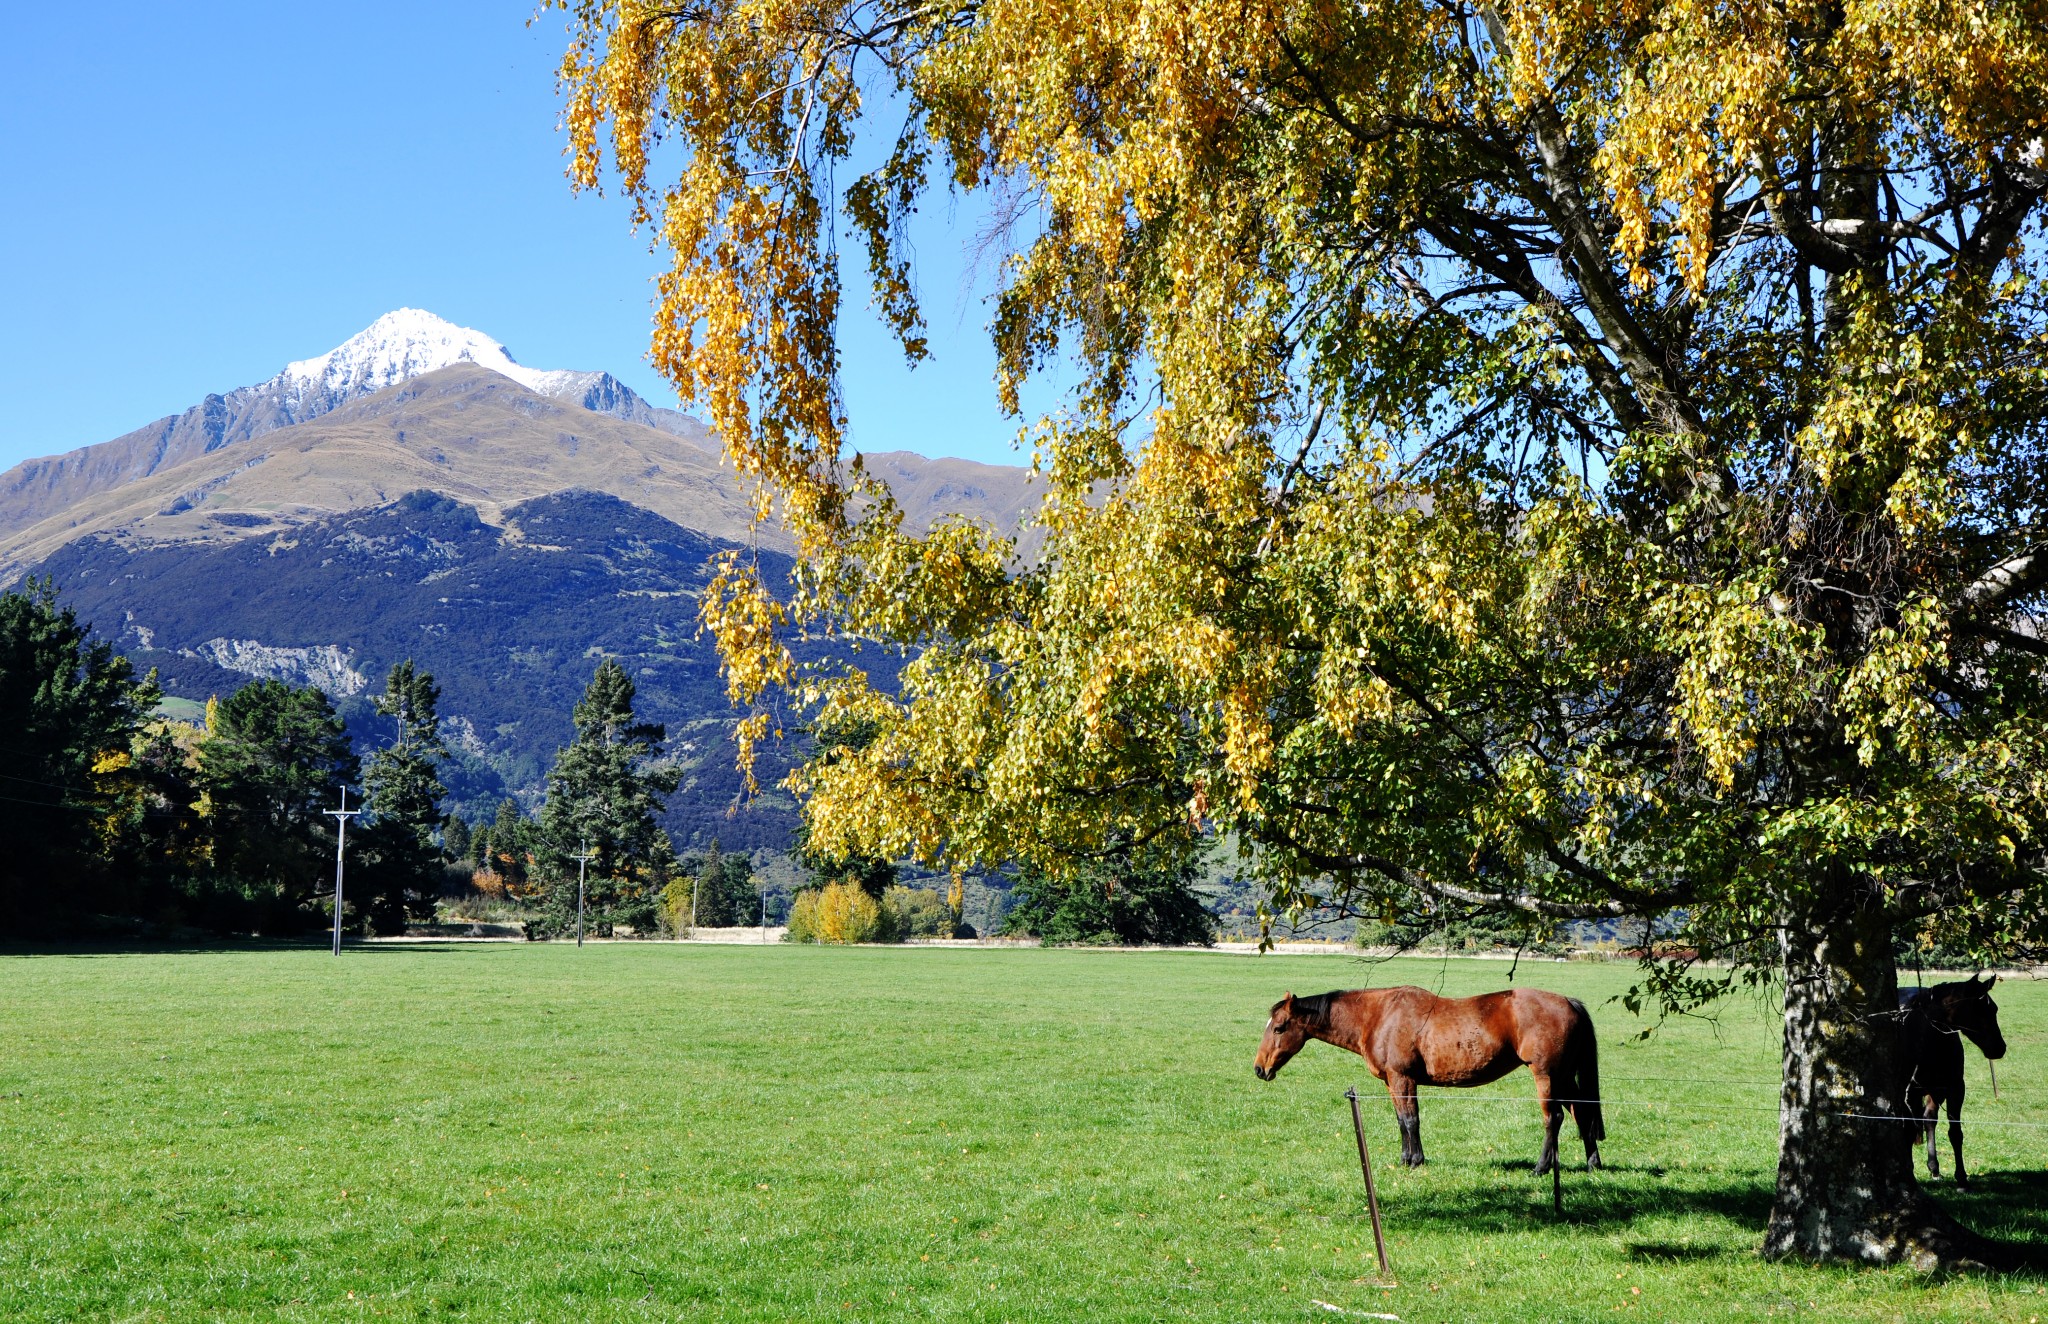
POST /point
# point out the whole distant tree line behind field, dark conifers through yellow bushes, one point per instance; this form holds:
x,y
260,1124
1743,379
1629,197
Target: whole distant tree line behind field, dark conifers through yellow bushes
x,y
122,821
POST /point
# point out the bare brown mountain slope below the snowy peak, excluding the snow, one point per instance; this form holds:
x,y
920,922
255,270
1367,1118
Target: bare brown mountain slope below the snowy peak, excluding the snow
x,y
486,442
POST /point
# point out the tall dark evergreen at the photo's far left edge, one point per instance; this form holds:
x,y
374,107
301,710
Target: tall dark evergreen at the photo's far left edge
x,y
73,710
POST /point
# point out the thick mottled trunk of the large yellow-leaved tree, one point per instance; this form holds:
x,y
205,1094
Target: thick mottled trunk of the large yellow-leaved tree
x,y
1846,1186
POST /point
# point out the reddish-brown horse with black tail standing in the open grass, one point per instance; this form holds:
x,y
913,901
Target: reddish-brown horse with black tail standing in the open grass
x,y
1412,1038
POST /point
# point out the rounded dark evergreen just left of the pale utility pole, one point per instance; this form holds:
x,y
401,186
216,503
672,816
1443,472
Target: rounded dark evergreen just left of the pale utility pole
x,y
273,761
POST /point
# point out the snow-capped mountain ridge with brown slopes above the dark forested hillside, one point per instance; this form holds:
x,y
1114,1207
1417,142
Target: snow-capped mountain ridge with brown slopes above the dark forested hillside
x,y
421,403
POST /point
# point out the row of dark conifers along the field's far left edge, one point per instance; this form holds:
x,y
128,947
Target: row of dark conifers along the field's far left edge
x,y
118,819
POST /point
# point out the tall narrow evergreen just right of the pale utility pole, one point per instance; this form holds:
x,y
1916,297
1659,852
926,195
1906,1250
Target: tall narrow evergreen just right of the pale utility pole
x,y
400,862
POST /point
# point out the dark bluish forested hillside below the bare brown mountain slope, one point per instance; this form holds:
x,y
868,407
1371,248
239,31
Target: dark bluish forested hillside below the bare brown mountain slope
x,y
513,622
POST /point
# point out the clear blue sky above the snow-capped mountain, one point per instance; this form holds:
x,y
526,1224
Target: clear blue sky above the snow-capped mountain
x,y
202,194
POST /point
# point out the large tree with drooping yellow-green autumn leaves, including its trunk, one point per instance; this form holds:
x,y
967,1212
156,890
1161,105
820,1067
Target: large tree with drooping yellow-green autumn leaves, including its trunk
x,y
1564,458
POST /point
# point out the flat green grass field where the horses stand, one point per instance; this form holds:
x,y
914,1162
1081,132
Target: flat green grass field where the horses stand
x,y
654,1132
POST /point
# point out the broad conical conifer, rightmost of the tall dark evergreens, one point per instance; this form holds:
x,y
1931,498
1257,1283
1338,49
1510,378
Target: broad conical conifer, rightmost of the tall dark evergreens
x,y
603,794
